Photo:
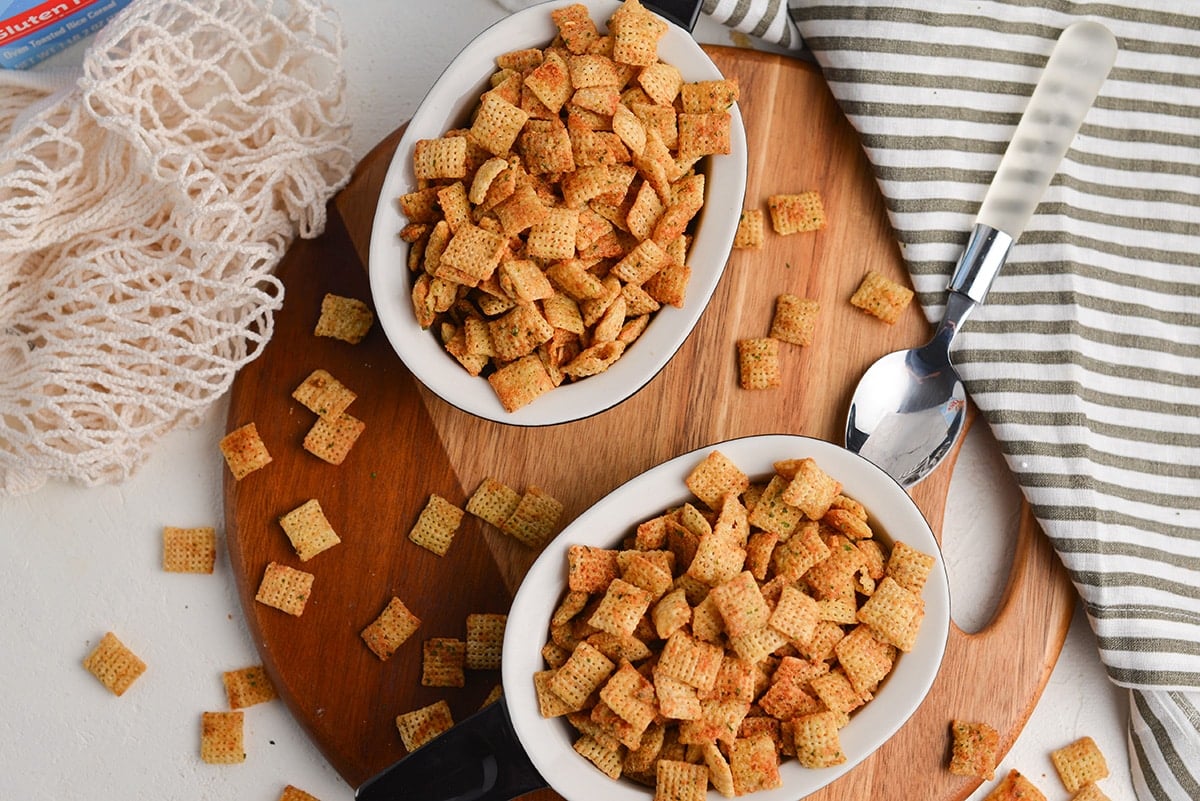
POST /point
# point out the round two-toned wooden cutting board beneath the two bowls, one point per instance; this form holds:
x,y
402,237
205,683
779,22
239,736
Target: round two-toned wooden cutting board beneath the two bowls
x,y
415,445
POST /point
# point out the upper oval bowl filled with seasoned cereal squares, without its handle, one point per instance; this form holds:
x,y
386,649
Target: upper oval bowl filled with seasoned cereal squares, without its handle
x,y
559,212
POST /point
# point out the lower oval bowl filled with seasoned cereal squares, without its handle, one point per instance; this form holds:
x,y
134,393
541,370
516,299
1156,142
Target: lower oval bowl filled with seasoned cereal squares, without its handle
x,y
753,618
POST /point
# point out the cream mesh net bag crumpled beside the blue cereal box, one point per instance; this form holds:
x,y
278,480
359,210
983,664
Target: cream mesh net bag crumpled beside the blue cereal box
x,y
143,209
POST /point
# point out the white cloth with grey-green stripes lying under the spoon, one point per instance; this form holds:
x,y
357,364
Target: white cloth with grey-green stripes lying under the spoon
x,y
1085,360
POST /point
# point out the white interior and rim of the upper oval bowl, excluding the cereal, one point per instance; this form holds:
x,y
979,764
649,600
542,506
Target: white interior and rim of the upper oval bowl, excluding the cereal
x,y
446,107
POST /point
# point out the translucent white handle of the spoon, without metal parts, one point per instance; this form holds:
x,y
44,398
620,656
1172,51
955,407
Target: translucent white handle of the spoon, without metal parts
x,y
1078,67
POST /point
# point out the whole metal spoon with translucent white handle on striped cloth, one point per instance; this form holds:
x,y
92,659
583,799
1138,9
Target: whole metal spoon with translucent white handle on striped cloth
x,y
910,406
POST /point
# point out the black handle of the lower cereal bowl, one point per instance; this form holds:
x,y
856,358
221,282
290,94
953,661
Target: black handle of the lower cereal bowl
x,y
478,760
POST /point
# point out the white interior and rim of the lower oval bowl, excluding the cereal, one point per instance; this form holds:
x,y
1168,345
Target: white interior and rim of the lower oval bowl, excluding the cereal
x,y
893,515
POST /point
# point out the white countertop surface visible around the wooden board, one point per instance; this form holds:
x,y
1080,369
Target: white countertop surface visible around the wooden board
x,y
82,562
